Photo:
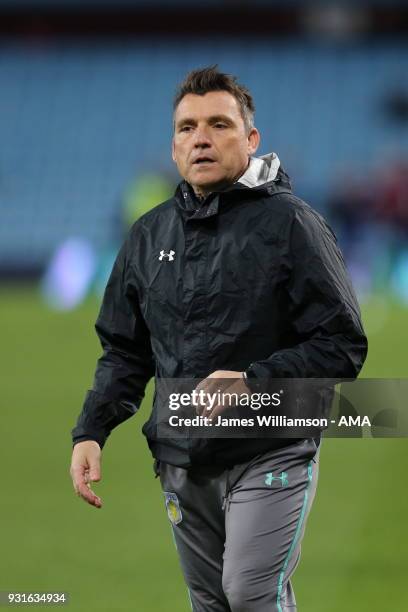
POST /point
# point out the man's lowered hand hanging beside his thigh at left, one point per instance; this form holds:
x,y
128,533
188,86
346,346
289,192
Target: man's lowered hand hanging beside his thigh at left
x,y
86,468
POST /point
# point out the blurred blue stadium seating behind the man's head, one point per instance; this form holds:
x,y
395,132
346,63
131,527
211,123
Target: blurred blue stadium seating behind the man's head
x,y
78,121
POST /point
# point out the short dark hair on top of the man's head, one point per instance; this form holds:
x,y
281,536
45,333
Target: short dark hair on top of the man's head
x,y
204,80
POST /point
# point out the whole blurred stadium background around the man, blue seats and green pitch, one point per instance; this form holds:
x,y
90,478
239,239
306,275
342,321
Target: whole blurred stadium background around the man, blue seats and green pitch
x,y
85,123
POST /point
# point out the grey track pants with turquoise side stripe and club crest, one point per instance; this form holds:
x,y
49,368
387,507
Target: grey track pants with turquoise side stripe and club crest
x,y
238,532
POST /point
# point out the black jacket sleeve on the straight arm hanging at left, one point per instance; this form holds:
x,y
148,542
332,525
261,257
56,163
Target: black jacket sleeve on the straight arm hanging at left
x,y
127,362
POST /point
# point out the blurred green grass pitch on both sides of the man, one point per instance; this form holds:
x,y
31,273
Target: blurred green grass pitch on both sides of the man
x,y
122,557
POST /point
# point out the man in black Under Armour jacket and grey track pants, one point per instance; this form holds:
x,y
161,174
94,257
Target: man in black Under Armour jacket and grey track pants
x,y
233,278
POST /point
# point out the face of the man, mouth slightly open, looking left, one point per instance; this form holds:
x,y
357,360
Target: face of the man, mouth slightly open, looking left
x,y
211,145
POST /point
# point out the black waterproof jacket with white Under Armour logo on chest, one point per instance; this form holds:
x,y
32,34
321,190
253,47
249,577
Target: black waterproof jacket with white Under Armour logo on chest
x,y
252,275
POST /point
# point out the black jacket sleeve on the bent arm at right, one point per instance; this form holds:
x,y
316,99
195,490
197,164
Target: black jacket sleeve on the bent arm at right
x,y
323,312
